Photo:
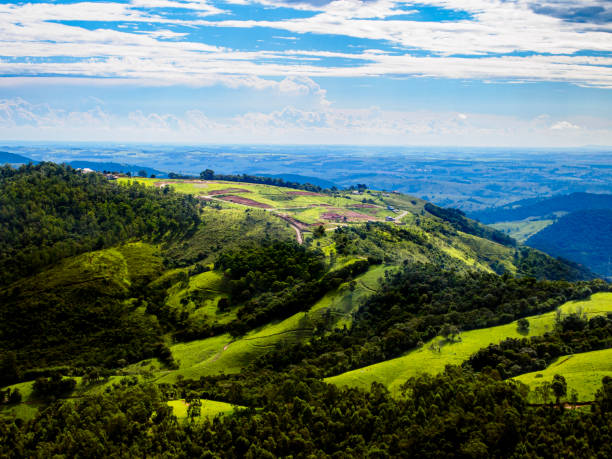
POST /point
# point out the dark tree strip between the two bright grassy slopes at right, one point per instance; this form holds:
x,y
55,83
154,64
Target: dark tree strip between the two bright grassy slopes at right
x,y
573,334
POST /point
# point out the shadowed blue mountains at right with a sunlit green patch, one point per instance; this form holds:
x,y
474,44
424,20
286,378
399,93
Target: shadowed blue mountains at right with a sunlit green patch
x,y
577,227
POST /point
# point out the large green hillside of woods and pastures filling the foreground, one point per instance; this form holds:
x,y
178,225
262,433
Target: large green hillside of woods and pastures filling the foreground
x,y
242,309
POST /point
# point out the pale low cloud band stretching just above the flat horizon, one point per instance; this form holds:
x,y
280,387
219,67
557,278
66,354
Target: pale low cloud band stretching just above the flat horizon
x,y
22,119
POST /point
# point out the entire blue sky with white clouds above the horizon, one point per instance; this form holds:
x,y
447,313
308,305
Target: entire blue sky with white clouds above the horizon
x,y
513,73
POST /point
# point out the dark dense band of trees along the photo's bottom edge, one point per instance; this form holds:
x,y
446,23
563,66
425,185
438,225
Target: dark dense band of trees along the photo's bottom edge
x,y
454,414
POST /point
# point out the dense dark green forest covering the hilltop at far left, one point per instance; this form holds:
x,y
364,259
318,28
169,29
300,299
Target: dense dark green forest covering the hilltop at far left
x,y
49,212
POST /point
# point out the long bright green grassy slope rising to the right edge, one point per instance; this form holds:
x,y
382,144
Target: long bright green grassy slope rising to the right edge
x,y
393,373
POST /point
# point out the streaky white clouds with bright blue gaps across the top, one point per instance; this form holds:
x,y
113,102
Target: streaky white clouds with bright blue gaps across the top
x,y
175,41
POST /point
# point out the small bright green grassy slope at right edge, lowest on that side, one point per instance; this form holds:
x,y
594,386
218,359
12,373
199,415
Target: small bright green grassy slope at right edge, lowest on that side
x,y
582,372
